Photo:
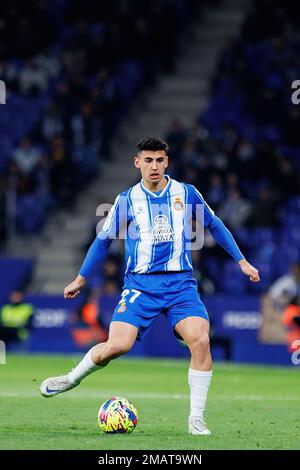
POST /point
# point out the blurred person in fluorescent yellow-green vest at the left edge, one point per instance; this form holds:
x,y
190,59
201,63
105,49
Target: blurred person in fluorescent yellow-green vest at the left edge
x,y
16,319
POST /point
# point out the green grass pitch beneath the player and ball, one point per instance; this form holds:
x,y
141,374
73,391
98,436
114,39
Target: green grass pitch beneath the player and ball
x,y
249,407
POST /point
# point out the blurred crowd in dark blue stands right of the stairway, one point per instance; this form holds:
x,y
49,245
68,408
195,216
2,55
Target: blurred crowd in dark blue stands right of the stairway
x,y
243,152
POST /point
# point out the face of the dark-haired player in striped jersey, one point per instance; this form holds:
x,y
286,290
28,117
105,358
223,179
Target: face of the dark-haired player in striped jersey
x,y
152,165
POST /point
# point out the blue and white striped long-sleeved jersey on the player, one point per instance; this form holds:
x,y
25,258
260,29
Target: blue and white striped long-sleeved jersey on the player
x,y
157,228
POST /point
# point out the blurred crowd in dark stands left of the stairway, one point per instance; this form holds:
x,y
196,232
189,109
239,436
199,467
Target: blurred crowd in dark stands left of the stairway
x,y
71,69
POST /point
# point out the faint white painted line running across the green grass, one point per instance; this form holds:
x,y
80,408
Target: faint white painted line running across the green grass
x,y
150,396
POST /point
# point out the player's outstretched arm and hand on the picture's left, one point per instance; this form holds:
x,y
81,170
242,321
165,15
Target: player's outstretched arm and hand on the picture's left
x,y
97,251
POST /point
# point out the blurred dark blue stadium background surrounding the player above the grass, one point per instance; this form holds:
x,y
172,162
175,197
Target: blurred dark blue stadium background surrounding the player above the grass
x,y
84,81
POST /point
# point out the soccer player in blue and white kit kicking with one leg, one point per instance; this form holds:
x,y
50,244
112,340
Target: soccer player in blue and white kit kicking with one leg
x,y
157,214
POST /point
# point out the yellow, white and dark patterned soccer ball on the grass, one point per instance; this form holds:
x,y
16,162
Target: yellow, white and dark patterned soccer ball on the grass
x,y
117,415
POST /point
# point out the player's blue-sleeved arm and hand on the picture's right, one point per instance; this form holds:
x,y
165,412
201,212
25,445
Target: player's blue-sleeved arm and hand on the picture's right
x,y
225,239
